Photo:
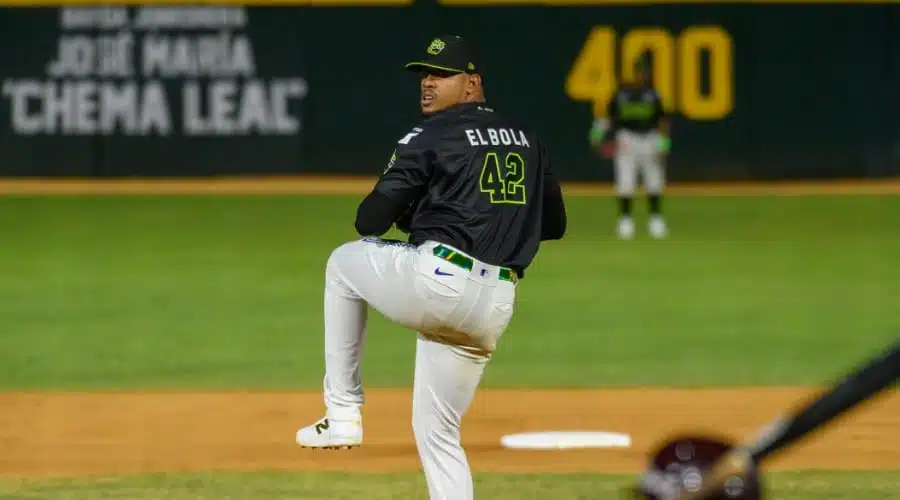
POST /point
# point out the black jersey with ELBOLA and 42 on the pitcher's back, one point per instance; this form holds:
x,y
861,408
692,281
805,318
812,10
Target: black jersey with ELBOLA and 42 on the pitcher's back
x,y
476,181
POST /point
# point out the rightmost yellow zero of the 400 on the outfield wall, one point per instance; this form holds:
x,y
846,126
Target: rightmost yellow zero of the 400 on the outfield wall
x,y
720,100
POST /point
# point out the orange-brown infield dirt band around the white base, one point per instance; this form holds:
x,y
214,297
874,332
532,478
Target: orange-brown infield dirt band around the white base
x,y
72,434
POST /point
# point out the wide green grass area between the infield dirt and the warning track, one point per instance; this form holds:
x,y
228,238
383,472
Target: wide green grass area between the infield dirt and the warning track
x,y
203,292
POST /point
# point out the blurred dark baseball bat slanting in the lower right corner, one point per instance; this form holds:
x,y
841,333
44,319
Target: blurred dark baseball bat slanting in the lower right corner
x,y
861,384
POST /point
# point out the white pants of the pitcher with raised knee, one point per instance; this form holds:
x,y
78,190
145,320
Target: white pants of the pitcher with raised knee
x,y
459,318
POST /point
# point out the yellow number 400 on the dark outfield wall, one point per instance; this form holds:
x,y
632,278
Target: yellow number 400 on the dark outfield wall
x,y
593,74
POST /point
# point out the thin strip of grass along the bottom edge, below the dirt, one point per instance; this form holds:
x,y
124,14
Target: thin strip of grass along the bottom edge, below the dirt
x,y
332,486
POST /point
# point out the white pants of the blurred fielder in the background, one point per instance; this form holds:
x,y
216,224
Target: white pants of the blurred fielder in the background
x,y
638,154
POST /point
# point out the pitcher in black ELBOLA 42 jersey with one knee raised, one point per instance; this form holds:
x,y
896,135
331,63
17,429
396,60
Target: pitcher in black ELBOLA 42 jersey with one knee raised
x,y
476,193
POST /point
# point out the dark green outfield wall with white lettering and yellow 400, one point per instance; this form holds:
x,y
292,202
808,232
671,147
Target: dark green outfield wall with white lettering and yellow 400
x,y
759,91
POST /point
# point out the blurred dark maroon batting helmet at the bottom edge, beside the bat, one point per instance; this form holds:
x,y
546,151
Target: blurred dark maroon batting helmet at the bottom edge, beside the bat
x,y
681,460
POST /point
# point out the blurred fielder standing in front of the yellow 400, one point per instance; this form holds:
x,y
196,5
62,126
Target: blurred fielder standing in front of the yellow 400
x,y
635,132
